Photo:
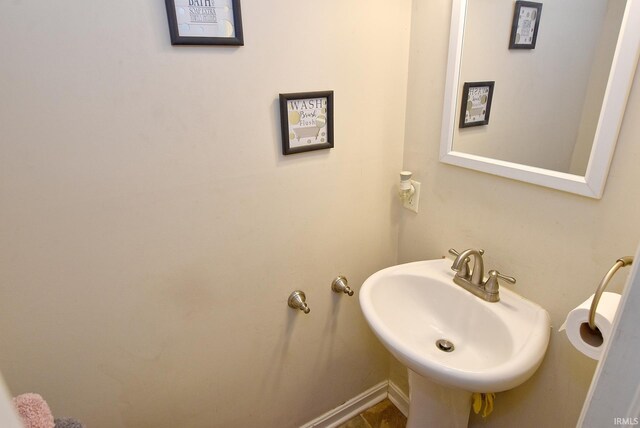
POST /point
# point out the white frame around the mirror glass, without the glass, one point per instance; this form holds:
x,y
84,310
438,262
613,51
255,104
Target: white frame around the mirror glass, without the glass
x,y
614,103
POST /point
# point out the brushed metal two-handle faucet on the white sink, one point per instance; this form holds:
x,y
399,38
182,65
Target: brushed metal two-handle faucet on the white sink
x,y
473,281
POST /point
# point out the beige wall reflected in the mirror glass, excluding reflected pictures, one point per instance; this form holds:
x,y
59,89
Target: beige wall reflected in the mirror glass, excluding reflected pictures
x,y
546,100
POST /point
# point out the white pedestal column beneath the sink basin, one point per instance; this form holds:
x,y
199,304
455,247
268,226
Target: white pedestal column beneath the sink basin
x,y
434,405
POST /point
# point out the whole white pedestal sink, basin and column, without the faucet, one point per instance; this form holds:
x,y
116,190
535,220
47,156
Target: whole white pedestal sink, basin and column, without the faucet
x,y
496,346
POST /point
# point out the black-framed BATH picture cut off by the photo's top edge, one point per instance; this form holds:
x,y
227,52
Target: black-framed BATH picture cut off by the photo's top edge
x,y
198,16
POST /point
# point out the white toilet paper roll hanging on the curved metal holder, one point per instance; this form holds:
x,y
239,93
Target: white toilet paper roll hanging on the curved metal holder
x,y
581,336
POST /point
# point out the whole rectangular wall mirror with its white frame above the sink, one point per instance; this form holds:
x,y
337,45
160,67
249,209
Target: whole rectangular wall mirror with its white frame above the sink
x,y
556,111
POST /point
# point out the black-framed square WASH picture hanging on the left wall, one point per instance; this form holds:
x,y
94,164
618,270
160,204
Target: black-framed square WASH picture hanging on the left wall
x,y
306,120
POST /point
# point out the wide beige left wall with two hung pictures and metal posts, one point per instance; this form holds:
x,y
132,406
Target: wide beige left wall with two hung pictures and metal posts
x,y
151,231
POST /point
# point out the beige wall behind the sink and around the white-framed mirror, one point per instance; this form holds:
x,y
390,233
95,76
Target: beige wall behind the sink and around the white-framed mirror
x,y
556,244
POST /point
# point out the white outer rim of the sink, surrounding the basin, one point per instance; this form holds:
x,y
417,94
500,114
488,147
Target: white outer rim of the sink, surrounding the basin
x,y
530,346
